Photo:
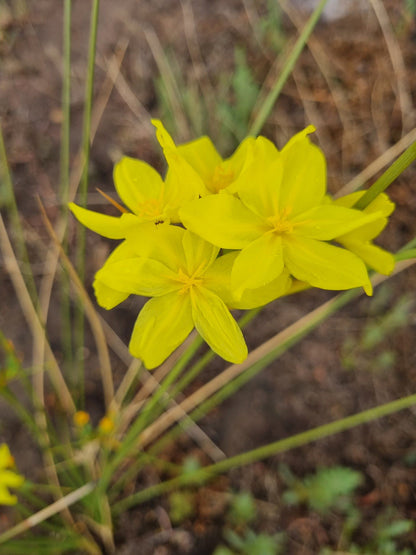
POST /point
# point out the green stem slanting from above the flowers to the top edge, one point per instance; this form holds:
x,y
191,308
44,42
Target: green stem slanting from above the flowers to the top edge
x,y
273,95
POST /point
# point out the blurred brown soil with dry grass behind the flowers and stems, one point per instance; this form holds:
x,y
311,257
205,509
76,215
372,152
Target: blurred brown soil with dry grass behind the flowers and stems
x,y
355,93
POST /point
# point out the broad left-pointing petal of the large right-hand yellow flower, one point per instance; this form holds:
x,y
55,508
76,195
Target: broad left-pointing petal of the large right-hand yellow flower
x,y
222,220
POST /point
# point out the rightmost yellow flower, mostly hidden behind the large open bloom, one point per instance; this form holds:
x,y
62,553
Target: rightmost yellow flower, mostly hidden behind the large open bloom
x,y
360,242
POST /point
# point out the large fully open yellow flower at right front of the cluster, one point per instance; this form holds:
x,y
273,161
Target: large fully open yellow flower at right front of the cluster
x,y
280,221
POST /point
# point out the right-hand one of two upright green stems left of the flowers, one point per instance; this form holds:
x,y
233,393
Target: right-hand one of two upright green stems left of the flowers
x,y
83,189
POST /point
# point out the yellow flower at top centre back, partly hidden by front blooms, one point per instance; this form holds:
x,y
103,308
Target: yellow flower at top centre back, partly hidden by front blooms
x,y
199,163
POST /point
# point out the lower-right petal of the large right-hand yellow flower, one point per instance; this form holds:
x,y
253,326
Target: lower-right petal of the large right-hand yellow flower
x,y
323,265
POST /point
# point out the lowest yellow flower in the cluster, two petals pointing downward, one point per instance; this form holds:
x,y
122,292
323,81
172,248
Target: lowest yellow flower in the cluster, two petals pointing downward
x,y
180,272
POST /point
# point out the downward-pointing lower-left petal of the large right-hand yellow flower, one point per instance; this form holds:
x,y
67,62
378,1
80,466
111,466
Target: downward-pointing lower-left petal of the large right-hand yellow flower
x,y
258,264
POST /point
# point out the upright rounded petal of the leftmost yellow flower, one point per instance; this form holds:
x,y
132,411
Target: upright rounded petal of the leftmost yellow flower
x,y
136,183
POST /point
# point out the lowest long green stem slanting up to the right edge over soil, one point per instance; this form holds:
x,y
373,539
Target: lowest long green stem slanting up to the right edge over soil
x,y
207,473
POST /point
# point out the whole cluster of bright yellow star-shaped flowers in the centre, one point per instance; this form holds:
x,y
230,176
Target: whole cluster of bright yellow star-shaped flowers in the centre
x,y
268,207
